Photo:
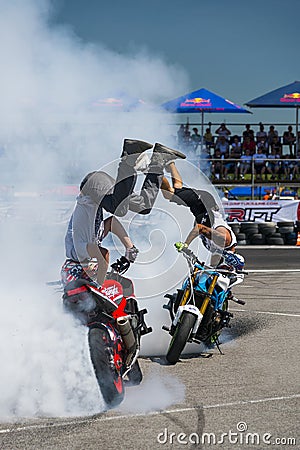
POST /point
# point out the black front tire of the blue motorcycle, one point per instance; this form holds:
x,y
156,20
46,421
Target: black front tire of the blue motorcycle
x,y
180,337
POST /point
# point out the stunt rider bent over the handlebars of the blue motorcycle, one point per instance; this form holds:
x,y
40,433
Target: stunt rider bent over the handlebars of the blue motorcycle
x,y
214,232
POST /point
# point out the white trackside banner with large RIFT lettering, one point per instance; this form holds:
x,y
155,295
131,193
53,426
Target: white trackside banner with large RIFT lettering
x,y
262,210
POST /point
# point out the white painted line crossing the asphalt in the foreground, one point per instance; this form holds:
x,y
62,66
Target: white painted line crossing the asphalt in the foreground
x,y
153,413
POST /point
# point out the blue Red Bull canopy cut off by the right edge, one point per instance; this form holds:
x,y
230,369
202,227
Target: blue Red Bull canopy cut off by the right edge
x,y
284,97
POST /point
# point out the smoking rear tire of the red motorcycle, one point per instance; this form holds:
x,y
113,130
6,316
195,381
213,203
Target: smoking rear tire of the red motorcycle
x,y
109,380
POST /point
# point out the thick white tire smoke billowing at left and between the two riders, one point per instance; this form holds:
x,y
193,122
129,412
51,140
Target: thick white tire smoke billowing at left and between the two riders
x,y
53,130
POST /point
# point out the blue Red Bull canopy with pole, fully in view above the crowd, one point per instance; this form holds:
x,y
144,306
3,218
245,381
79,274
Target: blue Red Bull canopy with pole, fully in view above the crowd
x,y
202,101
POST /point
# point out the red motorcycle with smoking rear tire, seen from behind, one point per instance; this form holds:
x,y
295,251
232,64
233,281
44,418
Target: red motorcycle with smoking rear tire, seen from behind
x,y
115,328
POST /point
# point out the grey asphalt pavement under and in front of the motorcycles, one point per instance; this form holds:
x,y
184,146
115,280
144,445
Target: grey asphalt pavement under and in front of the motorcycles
x,y
247,397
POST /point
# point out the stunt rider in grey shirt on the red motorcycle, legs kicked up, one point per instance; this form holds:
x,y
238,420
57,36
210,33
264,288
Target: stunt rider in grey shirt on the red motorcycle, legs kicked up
x,y
100,192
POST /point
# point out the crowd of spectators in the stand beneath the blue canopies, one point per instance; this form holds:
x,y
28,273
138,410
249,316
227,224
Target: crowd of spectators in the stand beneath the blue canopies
x,y
260,155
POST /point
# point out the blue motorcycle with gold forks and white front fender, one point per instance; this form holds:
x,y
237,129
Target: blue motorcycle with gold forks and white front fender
x,y
199,310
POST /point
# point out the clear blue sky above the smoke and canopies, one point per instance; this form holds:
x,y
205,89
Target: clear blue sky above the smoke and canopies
x,y
238,49
